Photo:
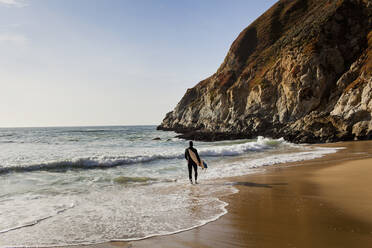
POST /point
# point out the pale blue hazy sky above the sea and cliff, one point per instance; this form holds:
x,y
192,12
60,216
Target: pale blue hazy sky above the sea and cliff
x,y
110,62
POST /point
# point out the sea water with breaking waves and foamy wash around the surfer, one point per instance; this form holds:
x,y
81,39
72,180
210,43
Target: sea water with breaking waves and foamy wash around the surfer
x,y
85,185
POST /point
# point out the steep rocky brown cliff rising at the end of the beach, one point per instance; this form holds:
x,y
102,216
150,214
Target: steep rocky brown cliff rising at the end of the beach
x,y
300,71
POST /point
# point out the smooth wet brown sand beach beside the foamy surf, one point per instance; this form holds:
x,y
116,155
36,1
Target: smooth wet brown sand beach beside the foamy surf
x,y
325,202
